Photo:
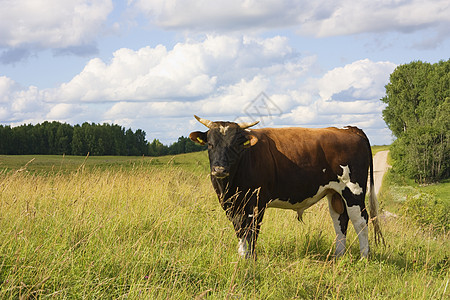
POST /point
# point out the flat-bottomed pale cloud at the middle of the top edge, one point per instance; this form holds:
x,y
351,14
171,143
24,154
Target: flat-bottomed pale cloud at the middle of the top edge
x,y
219,15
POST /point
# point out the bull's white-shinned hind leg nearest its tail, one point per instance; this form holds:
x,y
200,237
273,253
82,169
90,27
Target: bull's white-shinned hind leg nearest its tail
x,y
357,212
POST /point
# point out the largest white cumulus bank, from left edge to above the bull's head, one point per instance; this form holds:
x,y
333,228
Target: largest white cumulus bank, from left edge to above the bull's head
x,y
214,75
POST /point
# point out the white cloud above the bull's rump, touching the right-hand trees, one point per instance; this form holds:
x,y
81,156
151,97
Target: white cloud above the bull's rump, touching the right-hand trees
x,y
348,95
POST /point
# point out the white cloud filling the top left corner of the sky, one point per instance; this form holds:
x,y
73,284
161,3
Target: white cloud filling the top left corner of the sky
x,y
51,23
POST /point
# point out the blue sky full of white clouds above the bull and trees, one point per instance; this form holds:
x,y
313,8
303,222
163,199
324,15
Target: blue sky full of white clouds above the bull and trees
x,y
153,64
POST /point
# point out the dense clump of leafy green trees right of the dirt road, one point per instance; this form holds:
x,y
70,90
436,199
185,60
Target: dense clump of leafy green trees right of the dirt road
x,y
418,114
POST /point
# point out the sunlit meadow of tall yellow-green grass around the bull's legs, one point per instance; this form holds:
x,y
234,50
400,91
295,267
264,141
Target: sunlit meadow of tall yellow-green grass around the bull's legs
x,y
152,228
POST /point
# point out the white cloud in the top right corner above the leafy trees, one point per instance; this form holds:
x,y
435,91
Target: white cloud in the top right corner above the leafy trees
x,y
351,17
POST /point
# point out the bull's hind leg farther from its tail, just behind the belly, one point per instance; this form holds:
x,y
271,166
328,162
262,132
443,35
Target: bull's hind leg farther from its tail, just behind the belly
x,y
340,219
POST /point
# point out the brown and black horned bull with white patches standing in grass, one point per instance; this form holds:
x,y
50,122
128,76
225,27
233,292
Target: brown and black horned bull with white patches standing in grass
x,y
290,168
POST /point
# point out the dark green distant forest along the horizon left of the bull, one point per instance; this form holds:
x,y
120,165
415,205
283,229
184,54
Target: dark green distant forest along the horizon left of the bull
x,y
96,139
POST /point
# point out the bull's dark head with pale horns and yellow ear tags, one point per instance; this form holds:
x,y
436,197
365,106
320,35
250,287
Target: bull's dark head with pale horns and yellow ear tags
x,y
226,141
